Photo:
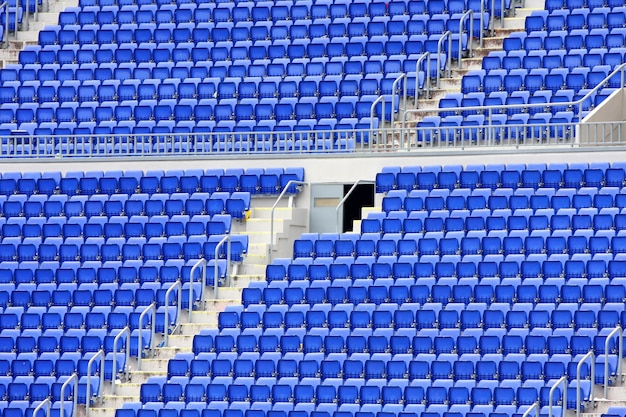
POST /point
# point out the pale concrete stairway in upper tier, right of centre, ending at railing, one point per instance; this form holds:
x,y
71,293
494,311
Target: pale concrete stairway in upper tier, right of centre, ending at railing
x,y
491,43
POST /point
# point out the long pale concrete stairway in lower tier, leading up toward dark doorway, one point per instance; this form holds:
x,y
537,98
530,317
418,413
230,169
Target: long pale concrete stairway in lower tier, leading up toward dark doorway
x,y
290,222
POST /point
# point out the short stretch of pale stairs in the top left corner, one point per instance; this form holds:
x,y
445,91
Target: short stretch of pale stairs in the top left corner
x,y
29,34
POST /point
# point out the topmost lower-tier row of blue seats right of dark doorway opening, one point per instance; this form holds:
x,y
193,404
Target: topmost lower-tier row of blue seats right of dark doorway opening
x,y
510,178
